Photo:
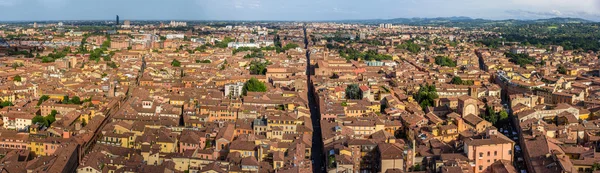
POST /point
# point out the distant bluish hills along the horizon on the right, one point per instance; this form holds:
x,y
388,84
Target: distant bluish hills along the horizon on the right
x,y
464,21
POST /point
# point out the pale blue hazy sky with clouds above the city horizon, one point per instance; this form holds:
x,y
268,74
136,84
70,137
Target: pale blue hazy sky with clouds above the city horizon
x,y
300,10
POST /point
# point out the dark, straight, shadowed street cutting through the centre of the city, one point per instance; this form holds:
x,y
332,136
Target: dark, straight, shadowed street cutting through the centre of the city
x,y
317,146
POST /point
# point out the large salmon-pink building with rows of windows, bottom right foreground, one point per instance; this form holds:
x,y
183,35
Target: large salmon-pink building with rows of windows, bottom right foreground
x,y
485,151
